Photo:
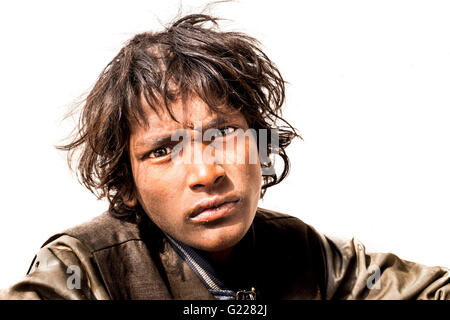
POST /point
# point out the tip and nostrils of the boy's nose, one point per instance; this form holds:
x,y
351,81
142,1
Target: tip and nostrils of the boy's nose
x,y
205,174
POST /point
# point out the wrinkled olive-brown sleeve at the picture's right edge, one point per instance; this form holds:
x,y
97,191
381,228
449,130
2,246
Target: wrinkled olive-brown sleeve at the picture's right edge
x,y
352,273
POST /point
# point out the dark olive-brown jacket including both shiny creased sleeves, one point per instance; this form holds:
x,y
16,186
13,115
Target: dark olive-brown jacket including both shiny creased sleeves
x,y
108,258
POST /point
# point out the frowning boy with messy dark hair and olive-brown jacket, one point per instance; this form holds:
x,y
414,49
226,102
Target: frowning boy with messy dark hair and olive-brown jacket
x,y
179,134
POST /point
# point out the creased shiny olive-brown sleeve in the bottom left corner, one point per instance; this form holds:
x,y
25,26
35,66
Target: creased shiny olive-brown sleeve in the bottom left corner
x,y
62,269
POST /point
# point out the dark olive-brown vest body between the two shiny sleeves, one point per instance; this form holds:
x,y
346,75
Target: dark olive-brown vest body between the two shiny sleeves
x,y
136,262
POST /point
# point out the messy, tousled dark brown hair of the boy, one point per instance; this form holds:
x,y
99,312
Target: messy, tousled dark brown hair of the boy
x,y
190,57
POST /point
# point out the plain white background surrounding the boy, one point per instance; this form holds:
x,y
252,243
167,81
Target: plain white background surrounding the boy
x,y
369,85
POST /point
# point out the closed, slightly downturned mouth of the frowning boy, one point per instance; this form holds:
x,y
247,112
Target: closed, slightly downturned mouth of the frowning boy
x,y
212,209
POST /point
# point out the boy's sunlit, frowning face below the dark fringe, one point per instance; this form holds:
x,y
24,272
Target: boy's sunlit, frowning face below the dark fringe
x,y
207,202
